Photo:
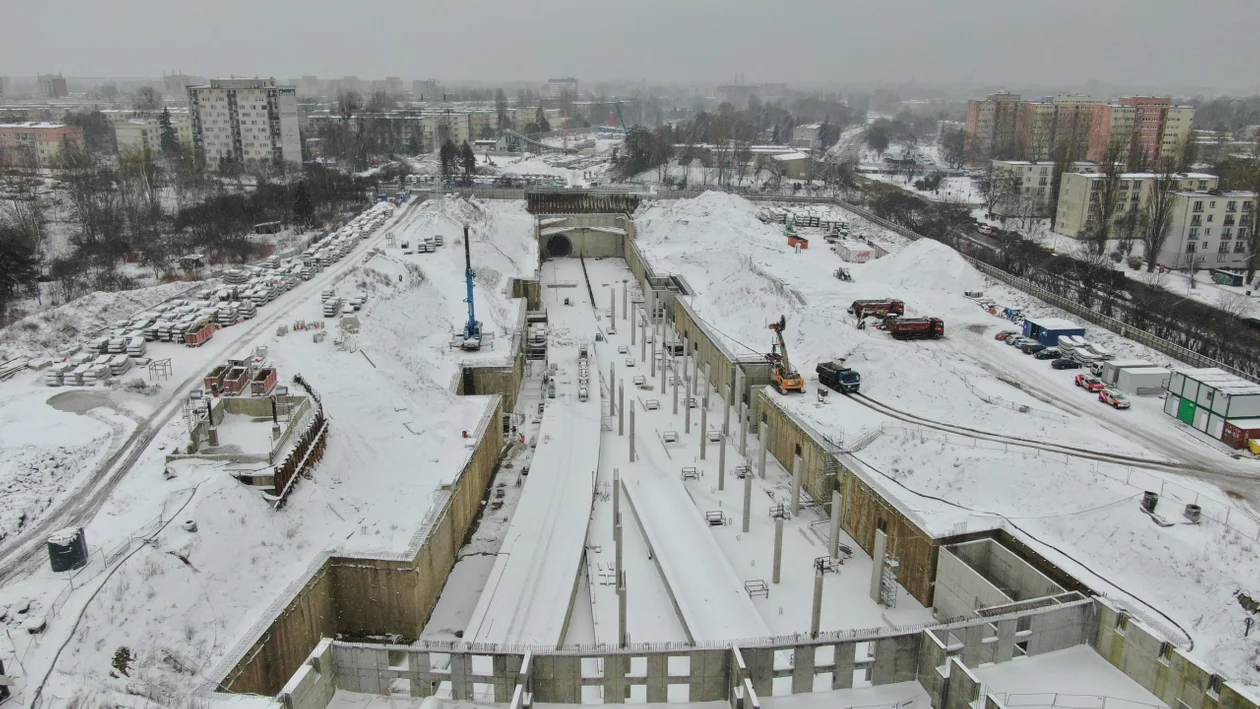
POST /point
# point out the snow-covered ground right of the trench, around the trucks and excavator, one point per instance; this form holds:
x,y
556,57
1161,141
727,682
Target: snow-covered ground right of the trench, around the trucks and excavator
x,y
1085,514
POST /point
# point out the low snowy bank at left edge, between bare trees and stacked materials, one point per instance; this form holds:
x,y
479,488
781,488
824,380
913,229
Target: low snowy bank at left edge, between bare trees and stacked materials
x,y
46,332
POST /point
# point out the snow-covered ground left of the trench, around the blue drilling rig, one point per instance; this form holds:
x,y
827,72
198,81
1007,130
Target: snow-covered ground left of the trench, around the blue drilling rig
x,y
172,609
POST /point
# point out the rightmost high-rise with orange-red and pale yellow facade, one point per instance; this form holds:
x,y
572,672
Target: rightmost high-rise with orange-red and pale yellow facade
x,y
1148,124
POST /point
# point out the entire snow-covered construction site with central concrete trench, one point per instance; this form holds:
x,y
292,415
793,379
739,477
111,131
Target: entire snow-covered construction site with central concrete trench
x,y
588,449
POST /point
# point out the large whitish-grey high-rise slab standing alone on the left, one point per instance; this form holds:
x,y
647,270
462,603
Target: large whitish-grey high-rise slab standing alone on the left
x,y
246,120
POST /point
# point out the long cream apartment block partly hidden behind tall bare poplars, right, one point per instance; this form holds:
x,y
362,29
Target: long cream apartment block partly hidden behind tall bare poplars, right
x,y
1079,193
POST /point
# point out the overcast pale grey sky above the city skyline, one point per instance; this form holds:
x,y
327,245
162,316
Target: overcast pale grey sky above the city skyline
x,y
1128,42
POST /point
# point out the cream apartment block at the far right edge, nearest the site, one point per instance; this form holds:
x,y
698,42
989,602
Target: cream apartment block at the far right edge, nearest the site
x,y
1210,230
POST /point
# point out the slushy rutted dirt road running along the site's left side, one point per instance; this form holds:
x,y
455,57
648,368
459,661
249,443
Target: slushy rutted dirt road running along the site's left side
x,y
79,508
